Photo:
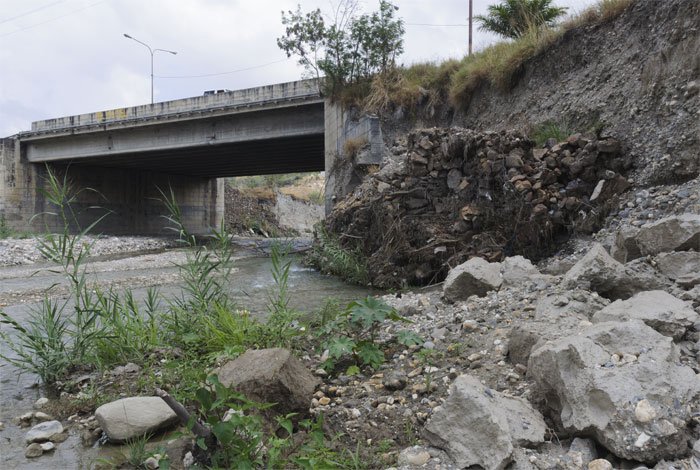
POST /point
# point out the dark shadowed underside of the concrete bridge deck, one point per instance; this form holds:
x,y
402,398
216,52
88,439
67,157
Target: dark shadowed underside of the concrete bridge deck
x,y
257,157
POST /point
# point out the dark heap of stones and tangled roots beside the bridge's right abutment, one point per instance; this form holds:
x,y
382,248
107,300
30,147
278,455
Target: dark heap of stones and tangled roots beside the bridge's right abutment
x,y
452,193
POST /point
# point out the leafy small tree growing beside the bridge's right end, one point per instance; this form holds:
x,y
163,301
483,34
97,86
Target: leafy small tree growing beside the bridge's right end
x,y
351,49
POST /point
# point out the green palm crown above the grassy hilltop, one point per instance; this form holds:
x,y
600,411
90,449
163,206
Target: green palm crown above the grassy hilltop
x,y
513,18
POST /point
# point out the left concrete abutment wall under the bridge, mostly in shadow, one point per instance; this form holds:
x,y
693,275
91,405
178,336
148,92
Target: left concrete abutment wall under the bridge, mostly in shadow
x,y
130,197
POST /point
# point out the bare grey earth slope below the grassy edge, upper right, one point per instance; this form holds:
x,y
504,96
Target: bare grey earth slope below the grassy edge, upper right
x,y
636,78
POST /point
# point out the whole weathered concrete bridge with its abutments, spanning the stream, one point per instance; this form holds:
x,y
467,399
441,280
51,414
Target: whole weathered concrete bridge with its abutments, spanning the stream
x,y
125,155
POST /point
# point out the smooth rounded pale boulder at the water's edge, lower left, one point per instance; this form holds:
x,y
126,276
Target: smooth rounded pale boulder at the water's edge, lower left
x,y
133,417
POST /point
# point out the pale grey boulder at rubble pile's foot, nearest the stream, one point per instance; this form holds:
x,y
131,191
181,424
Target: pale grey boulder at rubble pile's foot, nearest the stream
x,y
474,277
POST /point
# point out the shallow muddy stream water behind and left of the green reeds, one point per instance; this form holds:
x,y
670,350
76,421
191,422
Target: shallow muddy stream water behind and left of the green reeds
x,y
21,288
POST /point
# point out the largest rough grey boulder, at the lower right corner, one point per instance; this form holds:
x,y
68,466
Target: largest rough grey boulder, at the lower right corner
x,y
621,383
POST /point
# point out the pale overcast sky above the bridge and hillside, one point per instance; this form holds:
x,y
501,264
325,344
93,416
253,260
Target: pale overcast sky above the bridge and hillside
x,y
64,57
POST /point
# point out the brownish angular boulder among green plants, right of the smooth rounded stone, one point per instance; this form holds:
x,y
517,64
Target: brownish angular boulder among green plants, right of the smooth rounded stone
x,y
271,376
